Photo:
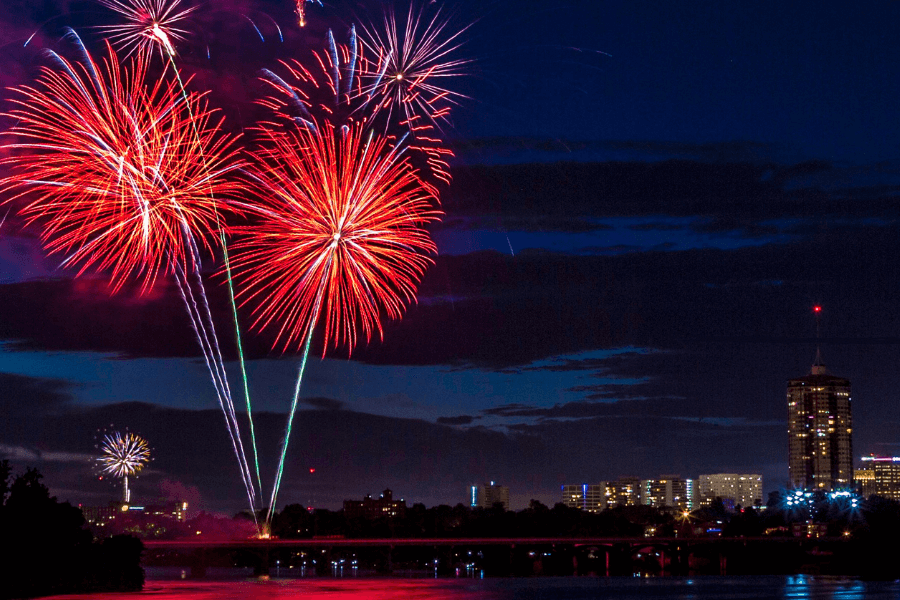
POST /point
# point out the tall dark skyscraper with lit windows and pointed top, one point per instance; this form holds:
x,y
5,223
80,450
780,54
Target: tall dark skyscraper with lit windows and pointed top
x,y
819,426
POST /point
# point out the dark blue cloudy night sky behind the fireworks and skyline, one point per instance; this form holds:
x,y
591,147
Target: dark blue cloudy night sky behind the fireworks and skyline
x,y
648,199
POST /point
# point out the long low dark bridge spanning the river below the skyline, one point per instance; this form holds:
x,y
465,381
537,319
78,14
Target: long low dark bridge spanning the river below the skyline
x,y
524,556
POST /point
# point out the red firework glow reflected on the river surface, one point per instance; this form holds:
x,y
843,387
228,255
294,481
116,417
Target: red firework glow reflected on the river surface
x,y
282,589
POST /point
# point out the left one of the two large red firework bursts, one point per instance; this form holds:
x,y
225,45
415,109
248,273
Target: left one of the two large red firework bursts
x,y
121,175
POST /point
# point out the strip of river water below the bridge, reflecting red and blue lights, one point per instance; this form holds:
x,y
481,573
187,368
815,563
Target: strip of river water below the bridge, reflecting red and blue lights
x,y
538,588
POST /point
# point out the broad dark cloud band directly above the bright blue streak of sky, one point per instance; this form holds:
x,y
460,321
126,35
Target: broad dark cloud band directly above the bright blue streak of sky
x,y
553,303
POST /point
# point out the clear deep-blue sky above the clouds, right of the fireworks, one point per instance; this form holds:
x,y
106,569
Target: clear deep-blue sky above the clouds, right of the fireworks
x,y
812,79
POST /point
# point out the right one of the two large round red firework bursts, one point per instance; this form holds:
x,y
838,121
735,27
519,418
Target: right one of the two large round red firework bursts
x,y
340,235
